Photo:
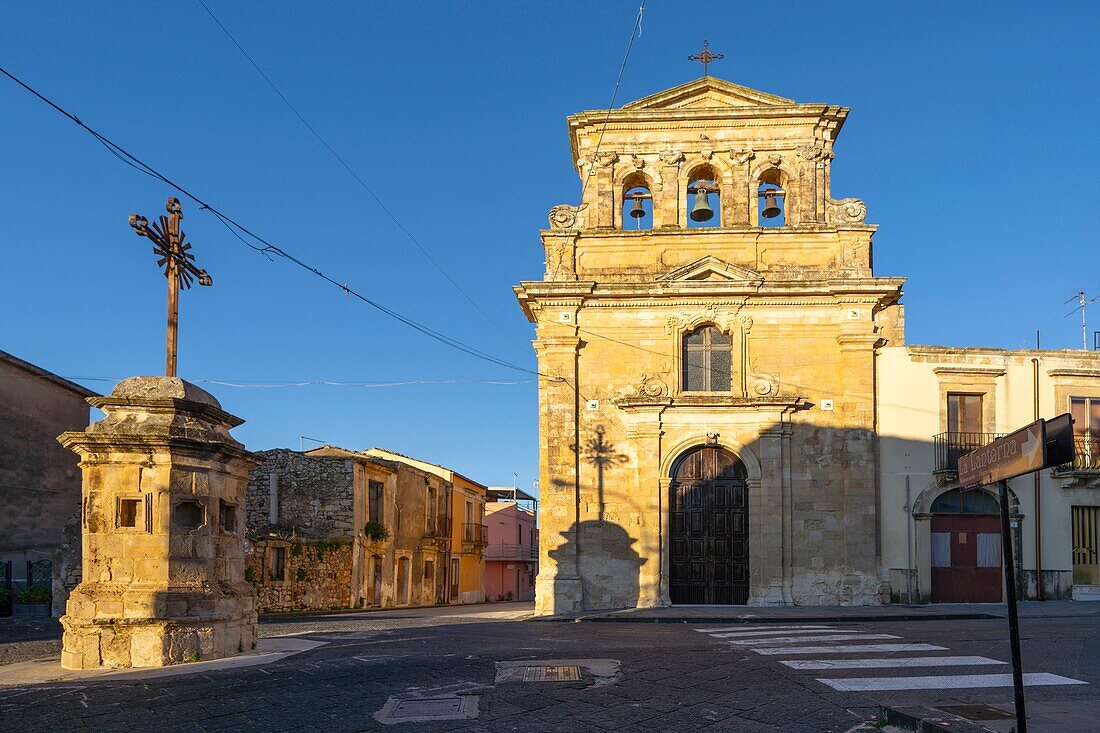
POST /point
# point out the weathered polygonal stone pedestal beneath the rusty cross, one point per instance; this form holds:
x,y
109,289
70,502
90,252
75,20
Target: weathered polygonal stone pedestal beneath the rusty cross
x,y
163,524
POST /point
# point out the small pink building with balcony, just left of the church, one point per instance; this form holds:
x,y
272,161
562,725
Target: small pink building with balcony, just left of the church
x,y
512,557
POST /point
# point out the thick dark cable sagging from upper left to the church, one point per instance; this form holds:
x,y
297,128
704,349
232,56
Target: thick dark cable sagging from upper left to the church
x,y
268,248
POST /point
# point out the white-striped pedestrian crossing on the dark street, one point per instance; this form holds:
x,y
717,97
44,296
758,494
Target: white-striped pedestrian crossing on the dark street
x,y
828,646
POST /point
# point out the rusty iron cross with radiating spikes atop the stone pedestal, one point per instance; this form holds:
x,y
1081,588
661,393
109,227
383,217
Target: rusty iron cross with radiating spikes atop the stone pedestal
x,y
179,264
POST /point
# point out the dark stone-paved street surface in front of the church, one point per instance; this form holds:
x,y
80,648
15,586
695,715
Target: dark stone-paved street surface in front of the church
x,y
672,679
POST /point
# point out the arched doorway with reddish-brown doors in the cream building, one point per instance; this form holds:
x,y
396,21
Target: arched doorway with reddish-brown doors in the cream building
x,y
966,548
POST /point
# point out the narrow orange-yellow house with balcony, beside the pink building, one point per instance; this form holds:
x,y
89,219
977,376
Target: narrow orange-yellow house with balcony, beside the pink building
x,y
466,567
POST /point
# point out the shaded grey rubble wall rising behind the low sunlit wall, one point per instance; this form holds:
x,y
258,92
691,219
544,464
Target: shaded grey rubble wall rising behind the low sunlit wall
x,y
315,497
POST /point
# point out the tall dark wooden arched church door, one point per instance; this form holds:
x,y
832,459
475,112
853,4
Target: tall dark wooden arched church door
x,y
710,532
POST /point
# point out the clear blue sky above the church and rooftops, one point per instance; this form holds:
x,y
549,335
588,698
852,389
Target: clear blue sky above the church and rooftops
x,y
973,139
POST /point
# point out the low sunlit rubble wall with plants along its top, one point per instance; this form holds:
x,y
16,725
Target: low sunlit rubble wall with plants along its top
x,y
317,575
